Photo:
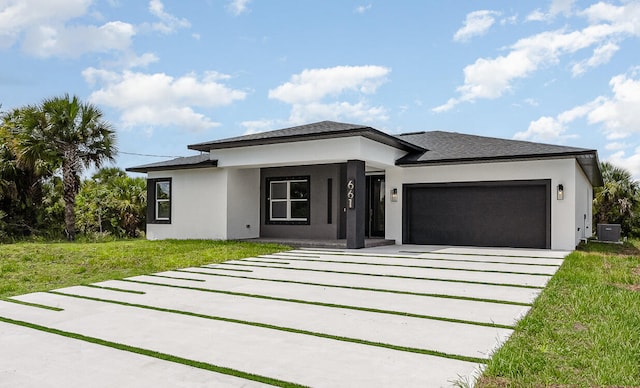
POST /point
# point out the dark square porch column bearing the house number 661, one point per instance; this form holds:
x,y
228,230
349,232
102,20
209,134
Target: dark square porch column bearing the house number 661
x,y
356,204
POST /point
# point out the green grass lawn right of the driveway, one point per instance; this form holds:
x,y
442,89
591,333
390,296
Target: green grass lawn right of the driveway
x,y
583,330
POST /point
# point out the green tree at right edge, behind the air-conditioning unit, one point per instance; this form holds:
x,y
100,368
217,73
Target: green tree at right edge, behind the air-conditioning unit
x,y
616,201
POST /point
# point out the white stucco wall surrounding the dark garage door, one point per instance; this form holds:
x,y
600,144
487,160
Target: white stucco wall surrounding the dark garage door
x,y
559,171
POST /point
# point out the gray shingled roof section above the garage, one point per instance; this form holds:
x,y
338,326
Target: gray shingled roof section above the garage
x,y
451,148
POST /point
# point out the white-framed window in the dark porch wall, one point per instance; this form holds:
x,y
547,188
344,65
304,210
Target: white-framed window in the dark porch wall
x,y
288,200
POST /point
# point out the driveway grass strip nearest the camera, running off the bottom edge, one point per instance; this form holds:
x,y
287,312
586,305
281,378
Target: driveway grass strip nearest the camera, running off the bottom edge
x,y
159,355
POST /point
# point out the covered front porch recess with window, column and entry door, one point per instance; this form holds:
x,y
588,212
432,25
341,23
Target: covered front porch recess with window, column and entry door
x,y
338,204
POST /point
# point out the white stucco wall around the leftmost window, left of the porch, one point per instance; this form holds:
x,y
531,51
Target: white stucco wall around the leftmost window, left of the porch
x,y
198,205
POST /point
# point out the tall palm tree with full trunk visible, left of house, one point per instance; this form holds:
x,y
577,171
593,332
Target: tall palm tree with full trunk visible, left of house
x,y
71,135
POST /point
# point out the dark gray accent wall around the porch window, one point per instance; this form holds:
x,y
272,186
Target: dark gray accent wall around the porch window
x,y
320,226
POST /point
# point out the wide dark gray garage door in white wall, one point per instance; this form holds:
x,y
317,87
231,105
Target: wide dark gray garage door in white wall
x,y
498,214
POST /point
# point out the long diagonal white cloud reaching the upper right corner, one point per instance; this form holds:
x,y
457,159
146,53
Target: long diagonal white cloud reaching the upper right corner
x,y
490,78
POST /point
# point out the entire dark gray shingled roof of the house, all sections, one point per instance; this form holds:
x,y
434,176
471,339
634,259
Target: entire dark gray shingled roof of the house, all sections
x,y
423,148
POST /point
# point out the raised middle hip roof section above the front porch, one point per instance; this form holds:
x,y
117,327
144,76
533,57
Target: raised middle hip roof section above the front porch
x,y
314,131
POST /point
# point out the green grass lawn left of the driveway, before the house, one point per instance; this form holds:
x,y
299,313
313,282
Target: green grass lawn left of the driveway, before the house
x,y
31,267
